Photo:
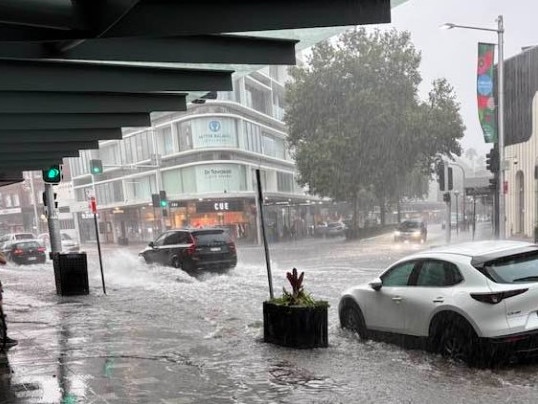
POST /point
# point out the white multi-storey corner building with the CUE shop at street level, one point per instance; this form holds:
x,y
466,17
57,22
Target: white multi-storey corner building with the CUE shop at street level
x,y
205,160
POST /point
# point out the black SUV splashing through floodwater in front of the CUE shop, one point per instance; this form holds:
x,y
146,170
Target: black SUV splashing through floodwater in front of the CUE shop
x,y
193,249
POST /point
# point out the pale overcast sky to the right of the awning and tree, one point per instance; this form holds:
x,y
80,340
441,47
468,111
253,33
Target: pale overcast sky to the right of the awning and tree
x,y
453,53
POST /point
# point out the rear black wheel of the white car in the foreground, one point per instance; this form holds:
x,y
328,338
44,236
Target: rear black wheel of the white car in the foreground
x,y
459,342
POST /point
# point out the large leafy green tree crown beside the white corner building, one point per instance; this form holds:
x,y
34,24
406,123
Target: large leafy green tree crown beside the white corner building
x,y
355,120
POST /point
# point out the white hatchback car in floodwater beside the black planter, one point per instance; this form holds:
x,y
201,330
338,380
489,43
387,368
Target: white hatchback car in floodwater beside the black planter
x,y
470,301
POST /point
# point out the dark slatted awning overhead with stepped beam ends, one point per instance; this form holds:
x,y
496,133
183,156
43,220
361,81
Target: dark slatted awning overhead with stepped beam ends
x,y
75,72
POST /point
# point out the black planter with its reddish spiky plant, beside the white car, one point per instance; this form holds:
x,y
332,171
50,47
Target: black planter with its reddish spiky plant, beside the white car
x,y
296,319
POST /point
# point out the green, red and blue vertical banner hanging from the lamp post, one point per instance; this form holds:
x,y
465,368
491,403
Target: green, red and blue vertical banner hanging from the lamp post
x,y
485,96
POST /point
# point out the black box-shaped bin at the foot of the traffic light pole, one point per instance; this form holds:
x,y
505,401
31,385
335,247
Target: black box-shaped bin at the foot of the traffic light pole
x,y
71,273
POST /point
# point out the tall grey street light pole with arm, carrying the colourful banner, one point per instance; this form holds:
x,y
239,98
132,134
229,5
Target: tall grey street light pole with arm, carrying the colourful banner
x,y
500,105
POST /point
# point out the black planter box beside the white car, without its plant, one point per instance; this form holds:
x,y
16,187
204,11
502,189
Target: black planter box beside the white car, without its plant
x,y
296,326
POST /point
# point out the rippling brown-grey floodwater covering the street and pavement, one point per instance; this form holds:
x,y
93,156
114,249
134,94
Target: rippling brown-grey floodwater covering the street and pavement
x,y
162,336
